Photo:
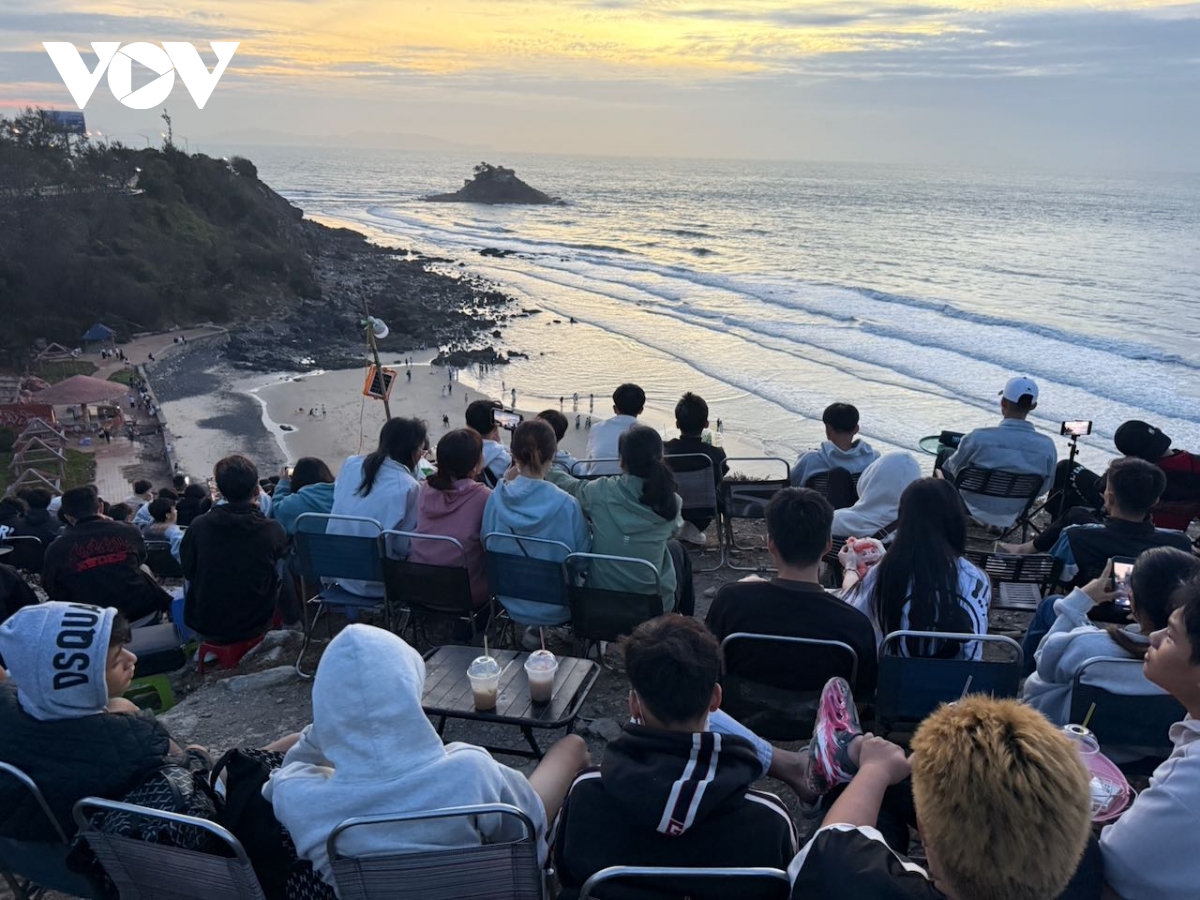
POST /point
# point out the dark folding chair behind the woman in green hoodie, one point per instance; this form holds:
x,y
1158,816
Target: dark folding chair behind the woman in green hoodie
x,y
602,615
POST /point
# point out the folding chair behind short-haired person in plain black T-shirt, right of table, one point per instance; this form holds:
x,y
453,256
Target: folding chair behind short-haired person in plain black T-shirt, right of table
x,y
778,713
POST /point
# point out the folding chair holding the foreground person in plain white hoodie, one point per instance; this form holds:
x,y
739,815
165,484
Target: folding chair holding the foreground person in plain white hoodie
x,y
488,872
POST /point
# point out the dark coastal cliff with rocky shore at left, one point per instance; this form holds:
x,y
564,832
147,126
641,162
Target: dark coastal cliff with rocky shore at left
x,y
151,239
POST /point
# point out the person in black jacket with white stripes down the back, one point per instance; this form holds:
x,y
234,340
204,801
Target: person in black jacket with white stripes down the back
x,y
671,793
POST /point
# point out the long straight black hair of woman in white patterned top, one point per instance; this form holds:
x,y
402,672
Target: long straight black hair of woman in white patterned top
x,y
922,566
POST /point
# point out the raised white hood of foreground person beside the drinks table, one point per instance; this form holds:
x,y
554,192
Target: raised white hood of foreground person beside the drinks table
x,y
367,706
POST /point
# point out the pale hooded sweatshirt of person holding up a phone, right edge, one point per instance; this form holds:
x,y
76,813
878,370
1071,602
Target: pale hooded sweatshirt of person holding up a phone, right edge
x,y
1072,641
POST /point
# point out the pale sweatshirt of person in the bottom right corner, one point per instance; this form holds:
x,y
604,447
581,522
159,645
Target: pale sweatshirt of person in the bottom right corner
x,y
1150,854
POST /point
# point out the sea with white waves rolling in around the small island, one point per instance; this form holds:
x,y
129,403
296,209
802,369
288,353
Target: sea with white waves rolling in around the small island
x,y
776,289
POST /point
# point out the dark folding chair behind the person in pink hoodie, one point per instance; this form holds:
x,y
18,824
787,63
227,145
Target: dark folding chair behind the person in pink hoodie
x,y
422,589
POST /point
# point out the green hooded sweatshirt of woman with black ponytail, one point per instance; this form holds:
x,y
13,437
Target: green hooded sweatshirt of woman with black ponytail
x,y
623,526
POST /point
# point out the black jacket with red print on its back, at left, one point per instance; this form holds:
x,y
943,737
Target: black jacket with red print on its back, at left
x,y
99,562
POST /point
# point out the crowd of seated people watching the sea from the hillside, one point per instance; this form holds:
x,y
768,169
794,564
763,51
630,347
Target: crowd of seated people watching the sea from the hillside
x,y
1001,797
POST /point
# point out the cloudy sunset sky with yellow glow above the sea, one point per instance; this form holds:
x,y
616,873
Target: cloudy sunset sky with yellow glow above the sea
x,y
1047,85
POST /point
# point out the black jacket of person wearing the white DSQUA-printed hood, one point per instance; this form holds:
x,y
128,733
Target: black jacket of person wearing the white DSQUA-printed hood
x,y
105,755
